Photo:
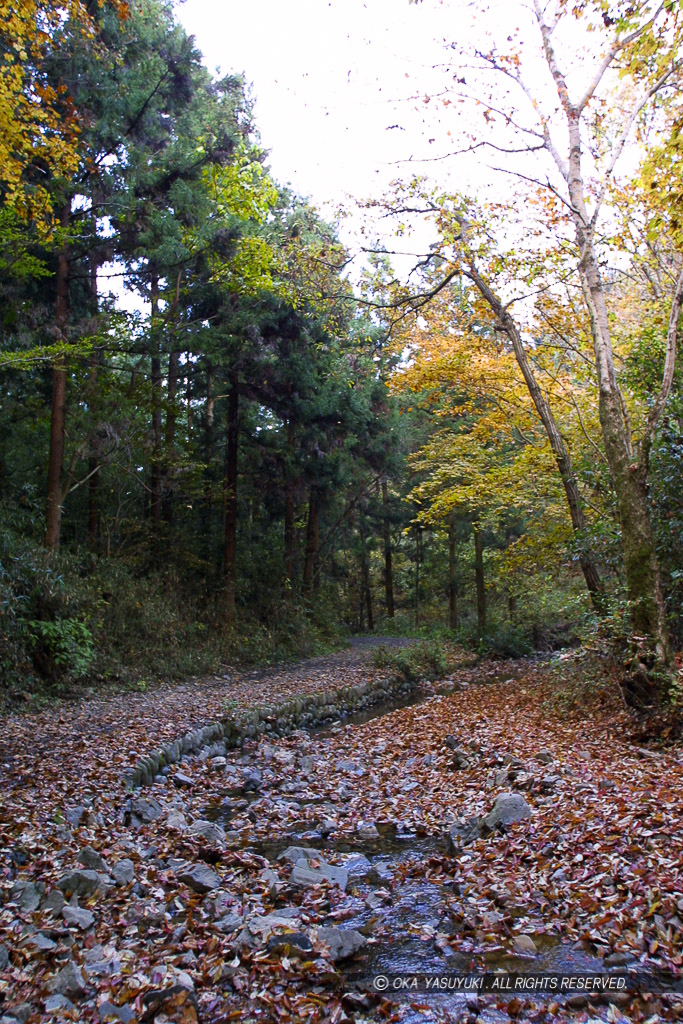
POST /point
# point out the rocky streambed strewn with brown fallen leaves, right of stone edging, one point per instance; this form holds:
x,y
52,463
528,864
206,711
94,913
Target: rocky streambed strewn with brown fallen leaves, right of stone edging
x,y
280,879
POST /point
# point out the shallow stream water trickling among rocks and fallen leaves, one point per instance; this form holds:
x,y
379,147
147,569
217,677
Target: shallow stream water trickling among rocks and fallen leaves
x,y
408,916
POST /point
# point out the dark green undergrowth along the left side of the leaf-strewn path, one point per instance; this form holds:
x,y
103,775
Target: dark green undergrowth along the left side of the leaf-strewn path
x,y
75,620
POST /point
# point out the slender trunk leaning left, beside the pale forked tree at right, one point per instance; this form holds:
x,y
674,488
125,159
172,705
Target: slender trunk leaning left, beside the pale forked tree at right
x,y
561,451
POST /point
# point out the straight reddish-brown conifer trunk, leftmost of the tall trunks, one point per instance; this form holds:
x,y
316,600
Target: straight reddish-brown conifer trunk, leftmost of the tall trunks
x,y
59,414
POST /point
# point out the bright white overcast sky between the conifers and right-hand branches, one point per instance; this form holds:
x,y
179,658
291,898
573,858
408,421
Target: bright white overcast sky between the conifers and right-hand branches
x,y
340,91
